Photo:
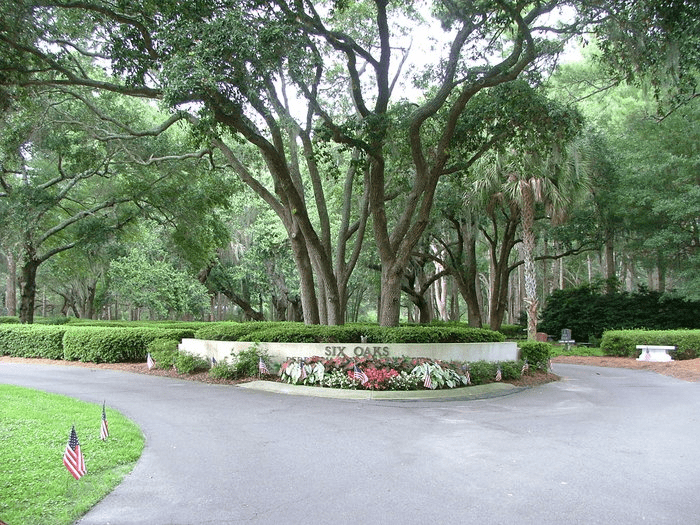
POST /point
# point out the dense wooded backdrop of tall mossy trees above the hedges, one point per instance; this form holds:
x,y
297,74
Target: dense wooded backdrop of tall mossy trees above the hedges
x,y
327,162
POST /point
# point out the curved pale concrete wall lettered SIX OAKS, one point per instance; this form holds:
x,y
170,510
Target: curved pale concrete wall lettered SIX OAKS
x,y
491,352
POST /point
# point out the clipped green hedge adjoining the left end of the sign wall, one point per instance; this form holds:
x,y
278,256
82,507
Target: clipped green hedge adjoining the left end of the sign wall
x,y
114,345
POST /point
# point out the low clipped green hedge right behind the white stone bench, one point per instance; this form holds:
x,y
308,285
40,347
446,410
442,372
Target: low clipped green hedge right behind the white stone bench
x,y
624,342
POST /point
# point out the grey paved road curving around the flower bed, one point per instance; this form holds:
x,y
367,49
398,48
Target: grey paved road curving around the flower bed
x,y
604,445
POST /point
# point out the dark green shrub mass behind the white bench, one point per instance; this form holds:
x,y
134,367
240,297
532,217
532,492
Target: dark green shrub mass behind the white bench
x,y
587,312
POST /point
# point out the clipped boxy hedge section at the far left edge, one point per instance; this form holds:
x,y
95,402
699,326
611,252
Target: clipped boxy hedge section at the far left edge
x,y
20,340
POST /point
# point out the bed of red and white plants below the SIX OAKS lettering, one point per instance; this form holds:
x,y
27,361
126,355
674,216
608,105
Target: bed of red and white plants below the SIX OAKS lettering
x,y
395,373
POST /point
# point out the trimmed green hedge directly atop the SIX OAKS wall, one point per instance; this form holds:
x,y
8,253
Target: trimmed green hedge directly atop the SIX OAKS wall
x,y
285,332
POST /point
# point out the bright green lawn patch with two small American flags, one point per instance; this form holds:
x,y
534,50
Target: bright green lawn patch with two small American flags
x,y
35,486
